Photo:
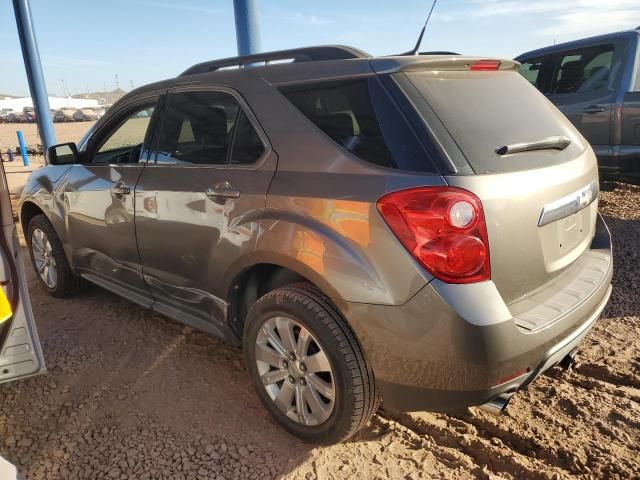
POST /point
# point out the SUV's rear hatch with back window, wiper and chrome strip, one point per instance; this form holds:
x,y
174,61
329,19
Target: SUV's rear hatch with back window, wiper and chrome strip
x,y
524,158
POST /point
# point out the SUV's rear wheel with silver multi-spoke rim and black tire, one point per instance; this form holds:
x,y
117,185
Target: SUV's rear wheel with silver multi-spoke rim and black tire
x,y
306,365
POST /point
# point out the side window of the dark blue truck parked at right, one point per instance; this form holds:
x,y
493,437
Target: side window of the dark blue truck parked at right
x,y
585,70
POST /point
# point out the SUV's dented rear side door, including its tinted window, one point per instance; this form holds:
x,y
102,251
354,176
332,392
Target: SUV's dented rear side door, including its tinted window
x,y
198,202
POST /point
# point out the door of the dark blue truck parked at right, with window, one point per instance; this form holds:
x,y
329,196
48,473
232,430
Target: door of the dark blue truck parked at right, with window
x,y
584,89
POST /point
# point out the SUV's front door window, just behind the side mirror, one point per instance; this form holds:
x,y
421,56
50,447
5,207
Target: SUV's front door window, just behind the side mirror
x,y
125,143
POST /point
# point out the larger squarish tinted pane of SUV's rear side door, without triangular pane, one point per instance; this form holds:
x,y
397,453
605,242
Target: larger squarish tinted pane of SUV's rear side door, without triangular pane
x,y
197,128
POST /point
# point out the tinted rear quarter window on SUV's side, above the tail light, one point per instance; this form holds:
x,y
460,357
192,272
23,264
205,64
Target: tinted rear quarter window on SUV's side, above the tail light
x,y
360,116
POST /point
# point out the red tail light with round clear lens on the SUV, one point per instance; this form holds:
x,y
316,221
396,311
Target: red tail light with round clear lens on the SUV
x,y
443,228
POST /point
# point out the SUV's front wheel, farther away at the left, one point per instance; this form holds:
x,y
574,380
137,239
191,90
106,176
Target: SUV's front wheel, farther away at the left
x,y
49,260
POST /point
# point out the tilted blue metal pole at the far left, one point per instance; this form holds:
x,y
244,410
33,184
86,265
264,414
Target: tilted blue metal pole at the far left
x,y
31,57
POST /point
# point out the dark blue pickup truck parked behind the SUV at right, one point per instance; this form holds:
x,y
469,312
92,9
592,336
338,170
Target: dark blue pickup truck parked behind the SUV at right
x,y
595,82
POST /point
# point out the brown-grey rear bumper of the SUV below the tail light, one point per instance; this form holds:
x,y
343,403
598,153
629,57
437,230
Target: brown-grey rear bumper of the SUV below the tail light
x,y
451,347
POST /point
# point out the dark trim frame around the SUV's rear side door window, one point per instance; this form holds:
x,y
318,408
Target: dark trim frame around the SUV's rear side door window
x,y
242,103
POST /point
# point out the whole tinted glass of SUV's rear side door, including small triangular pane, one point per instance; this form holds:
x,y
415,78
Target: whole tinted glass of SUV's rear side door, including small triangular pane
x,y
207,128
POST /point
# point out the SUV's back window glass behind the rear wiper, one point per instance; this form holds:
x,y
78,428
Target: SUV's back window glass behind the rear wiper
x,y
484,111
